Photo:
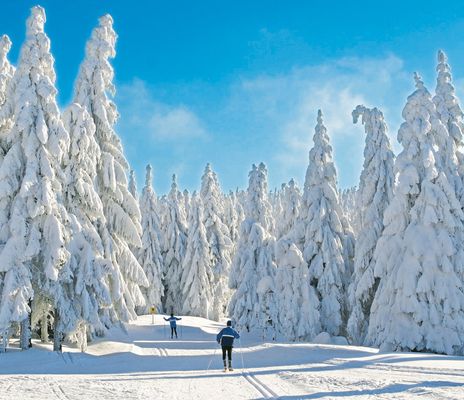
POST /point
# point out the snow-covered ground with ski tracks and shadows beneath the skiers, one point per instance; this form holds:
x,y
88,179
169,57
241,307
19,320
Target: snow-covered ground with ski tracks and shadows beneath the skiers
x,y
146,364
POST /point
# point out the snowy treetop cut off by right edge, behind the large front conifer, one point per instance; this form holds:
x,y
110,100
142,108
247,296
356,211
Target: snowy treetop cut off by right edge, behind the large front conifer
x,y
450,114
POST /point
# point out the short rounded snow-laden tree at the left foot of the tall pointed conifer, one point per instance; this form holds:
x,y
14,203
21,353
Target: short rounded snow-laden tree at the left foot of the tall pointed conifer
x,y
298,317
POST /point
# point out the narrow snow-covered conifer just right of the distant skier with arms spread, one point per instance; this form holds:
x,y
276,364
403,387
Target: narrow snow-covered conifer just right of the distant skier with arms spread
x,y
197,279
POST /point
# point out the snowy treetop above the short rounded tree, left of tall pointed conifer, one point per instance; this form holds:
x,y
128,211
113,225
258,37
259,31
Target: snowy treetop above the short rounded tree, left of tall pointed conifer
x,y
290,204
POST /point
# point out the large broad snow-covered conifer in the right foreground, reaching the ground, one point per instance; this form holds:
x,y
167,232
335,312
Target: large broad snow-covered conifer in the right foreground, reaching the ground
x,y
419,304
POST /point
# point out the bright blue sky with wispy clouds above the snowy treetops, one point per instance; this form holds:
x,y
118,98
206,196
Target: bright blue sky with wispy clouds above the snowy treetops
x,y
236,83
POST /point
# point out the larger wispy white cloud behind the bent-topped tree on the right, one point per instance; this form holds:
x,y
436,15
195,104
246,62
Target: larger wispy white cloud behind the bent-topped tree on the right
x,y
290,102
